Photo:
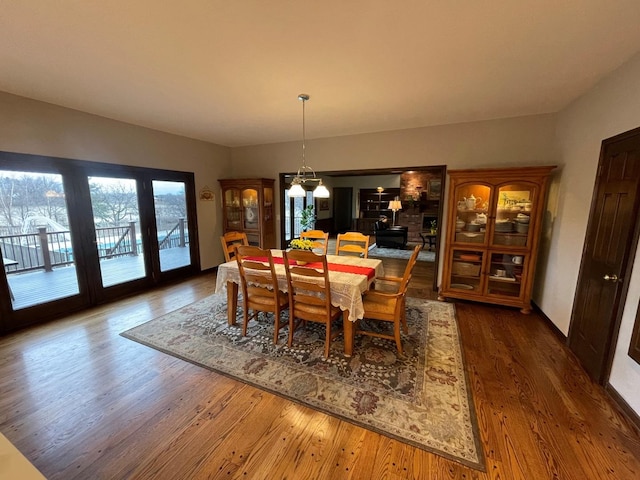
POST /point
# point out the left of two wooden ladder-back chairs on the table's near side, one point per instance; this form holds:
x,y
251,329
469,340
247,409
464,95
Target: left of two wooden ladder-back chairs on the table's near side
x,y
260,287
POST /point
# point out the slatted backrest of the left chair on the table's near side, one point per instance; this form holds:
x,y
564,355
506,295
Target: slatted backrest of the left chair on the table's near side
x,y
256,278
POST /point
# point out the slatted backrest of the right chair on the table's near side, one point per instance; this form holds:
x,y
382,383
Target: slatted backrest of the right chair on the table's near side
x,y
309,288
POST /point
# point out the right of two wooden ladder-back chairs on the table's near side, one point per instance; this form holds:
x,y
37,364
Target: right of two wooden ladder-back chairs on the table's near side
x,y
310,294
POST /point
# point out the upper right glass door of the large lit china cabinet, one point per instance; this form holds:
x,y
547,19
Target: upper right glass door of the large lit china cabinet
x,y
513,215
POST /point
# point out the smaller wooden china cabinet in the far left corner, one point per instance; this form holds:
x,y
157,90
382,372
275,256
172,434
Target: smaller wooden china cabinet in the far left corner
x,y
247,206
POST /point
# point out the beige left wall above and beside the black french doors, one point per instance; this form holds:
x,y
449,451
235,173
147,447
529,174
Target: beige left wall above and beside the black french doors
x,y
29,126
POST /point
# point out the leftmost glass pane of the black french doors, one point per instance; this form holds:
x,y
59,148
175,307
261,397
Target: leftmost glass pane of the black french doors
x,y
36,245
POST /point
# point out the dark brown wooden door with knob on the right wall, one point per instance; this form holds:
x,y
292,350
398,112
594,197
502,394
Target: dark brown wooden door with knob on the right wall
x,y
608,255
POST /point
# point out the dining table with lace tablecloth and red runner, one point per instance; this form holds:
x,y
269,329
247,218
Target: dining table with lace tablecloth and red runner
x,y
349,278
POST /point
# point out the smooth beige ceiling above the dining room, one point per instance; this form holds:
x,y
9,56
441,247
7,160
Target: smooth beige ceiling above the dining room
x,y
230,72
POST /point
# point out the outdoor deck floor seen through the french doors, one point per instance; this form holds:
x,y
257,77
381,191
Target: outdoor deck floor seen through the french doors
x,y
33,288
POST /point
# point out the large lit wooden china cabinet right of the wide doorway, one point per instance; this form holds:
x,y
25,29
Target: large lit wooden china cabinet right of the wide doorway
x,y
493,229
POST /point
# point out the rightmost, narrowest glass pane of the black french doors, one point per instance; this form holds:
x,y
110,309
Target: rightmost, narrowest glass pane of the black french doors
x,y
170,205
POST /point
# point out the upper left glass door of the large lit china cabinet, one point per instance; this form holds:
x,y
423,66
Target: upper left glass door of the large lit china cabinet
x,y
471,212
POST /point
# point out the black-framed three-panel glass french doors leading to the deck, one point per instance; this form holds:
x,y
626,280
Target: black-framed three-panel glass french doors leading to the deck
x,y
75,234
